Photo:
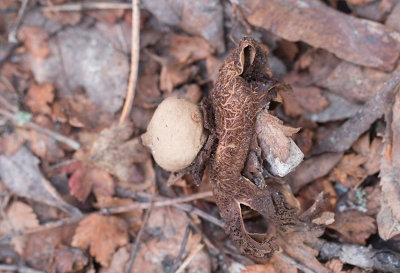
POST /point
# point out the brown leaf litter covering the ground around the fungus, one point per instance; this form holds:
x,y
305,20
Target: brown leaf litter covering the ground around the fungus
x,y
333,139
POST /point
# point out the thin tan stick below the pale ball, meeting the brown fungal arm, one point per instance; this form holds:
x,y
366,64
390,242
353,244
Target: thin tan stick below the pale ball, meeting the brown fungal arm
x,y
163,203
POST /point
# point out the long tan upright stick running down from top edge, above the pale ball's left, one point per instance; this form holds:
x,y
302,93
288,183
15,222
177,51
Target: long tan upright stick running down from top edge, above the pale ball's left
x,y
135,51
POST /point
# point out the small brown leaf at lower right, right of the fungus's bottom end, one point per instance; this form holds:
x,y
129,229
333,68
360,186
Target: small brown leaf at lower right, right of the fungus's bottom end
x,y
354,226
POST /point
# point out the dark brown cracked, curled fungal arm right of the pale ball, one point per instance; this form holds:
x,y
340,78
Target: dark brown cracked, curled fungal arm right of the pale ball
x,y
243,88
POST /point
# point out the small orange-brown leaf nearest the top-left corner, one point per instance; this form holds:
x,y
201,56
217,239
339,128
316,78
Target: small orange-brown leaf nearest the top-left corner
x,y
35,40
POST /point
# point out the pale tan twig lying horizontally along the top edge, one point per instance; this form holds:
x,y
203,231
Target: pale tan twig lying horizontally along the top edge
x,y
87,6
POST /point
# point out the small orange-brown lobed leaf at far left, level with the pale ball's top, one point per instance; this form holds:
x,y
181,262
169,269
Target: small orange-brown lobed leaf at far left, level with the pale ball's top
x,y
39,97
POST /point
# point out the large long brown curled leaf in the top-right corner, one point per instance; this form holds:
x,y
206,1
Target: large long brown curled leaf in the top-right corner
x,y
372,45
